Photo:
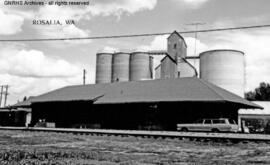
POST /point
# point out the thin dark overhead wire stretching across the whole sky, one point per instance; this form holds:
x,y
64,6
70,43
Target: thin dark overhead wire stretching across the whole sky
x,y
134,35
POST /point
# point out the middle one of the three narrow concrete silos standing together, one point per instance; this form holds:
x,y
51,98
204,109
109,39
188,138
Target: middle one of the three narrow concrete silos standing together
x,y
120,67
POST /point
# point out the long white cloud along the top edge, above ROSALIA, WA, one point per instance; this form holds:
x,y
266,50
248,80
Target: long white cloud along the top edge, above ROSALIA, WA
x,y
98,8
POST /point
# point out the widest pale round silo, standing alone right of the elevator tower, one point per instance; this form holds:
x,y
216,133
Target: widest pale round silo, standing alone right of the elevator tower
x,y
224,68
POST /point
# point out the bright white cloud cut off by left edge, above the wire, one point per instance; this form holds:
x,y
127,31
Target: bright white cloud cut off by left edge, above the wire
x,y
10,23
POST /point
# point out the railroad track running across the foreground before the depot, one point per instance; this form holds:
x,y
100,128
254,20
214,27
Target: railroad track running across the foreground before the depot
x,y
201,136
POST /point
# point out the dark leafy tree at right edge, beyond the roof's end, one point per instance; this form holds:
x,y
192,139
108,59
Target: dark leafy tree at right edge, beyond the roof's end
x,y
262,93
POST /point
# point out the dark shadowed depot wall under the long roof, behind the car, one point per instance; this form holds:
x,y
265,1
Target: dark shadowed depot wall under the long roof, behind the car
x,y
158,116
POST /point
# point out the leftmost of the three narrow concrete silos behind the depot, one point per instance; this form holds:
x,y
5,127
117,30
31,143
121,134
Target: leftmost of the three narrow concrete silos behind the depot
x,y
104,68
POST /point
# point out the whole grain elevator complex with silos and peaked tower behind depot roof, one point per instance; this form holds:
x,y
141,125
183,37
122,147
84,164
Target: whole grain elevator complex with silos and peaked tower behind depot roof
x,y
224,68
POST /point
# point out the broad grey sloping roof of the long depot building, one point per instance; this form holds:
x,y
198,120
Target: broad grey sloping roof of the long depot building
x,y
166,90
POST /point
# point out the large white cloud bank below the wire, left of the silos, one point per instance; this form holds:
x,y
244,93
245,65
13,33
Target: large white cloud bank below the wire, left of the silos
x,y
31,72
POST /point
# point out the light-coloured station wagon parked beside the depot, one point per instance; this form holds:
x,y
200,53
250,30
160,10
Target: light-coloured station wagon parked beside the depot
x,y
210,125
